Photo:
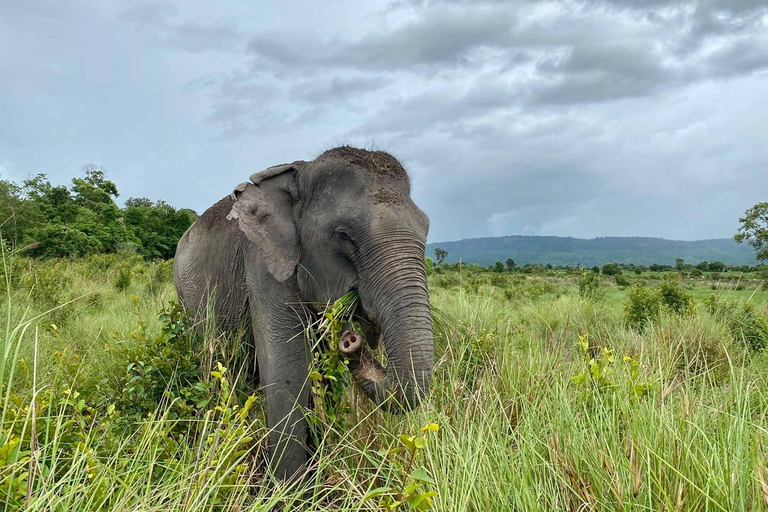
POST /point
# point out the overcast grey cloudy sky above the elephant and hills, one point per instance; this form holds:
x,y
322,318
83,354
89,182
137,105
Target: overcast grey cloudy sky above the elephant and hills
x,y
579,118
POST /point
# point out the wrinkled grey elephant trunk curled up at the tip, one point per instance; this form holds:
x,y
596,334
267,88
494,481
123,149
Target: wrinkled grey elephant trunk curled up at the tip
x,y
393,291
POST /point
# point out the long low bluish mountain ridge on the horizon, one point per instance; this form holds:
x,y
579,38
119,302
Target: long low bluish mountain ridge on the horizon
x,y
595,251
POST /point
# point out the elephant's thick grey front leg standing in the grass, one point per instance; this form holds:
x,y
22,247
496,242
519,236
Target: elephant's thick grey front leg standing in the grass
x,y
283,359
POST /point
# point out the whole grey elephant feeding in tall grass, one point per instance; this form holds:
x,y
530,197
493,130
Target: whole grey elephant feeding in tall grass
x,y
297,236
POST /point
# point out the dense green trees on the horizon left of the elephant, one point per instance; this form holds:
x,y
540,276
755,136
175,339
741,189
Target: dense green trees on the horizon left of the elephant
x,y
43,220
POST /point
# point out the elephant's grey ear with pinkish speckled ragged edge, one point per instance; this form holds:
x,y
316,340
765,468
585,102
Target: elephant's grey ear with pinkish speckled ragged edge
x,y
263,209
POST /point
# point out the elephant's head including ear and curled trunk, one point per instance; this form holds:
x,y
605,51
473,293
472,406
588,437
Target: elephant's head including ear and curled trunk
x,y
345,221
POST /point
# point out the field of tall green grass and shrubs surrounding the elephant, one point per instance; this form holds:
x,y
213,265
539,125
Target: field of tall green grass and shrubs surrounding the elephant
x,y
550,392
